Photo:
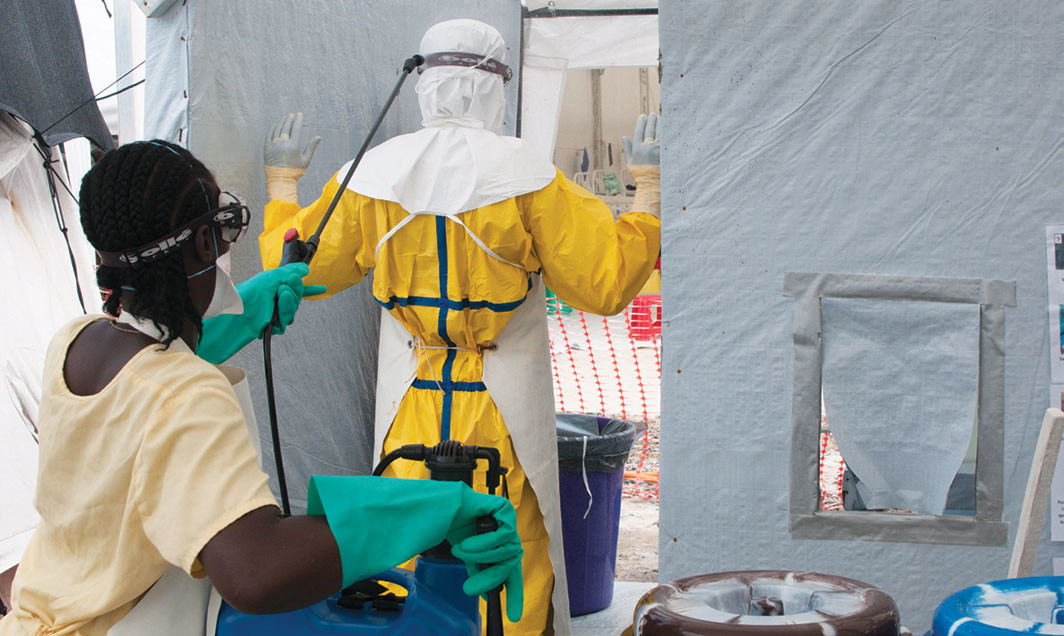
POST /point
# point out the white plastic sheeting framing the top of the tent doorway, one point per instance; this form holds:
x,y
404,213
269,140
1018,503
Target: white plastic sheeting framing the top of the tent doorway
x,y
553,46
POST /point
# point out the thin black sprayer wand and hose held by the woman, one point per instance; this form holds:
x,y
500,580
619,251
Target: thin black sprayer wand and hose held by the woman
x,y
312,247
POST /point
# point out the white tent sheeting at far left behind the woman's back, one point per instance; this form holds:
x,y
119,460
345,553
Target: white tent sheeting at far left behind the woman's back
x,y
41,296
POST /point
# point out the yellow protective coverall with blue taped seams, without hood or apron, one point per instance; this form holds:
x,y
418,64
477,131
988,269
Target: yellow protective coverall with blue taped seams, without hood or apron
x,y
447,292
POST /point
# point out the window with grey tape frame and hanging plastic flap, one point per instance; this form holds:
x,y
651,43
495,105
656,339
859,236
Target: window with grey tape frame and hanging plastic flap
x,y
907,375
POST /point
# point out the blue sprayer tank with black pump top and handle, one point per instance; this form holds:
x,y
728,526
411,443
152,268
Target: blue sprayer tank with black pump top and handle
x,y
435,604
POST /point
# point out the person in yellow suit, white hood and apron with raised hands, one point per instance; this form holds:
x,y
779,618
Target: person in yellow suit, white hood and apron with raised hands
x,y
463,228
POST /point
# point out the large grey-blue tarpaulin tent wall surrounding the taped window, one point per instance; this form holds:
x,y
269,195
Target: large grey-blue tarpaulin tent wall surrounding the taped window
x,y
920,142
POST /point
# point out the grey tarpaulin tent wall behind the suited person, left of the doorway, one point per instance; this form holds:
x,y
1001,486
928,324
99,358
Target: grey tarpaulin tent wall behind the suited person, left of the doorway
x,y
221,75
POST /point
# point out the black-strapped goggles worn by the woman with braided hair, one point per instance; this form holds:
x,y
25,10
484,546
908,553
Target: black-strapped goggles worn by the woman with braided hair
x,y
230,220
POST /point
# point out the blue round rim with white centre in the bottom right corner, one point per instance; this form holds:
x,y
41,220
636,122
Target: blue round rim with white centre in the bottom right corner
x,y
1034,606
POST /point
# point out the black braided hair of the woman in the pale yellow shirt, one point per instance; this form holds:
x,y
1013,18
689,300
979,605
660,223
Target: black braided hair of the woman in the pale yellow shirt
x,y
132,196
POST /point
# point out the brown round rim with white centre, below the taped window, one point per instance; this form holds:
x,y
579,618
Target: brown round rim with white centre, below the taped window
x,y
767,602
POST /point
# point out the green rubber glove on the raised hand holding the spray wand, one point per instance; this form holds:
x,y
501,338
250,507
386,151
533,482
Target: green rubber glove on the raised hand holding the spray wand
x,y
225,336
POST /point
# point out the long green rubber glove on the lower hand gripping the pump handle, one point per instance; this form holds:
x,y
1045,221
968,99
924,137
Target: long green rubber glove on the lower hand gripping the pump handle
x,y
380,523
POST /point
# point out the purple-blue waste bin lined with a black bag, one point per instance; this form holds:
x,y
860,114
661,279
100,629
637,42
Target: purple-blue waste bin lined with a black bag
x,y
592,451
